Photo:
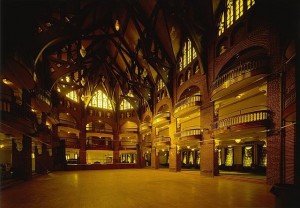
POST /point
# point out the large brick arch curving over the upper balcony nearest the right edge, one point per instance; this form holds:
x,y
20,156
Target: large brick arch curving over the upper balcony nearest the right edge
x,y
260,39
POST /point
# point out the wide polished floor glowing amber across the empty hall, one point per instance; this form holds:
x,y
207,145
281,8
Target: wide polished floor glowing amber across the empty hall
x,y
141,188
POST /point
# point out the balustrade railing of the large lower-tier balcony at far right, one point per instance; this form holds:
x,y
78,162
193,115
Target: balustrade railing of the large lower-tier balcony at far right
x,y
242,118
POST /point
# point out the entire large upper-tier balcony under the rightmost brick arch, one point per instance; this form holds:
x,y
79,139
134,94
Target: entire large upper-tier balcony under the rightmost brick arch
x,y
239,77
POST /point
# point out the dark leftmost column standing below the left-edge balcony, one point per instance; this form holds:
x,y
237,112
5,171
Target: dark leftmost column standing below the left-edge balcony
x,y
21,158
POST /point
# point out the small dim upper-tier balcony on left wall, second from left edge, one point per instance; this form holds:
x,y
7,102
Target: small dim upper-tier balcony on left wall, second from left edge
x,y
41,100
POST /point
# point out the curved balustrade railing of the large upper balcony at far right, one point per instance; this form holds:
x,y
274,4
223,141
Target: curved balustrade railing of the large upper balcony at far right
x,y
238,71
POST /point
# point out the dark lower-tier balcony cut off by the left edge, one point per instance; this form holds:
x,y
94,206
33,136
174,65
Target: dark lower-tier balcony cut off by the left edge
x,y
17,117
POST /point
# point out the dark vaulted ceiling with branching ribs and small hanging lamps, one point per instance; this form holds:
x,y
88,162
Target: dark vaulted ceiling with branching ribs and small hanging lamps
x,y
79,39
